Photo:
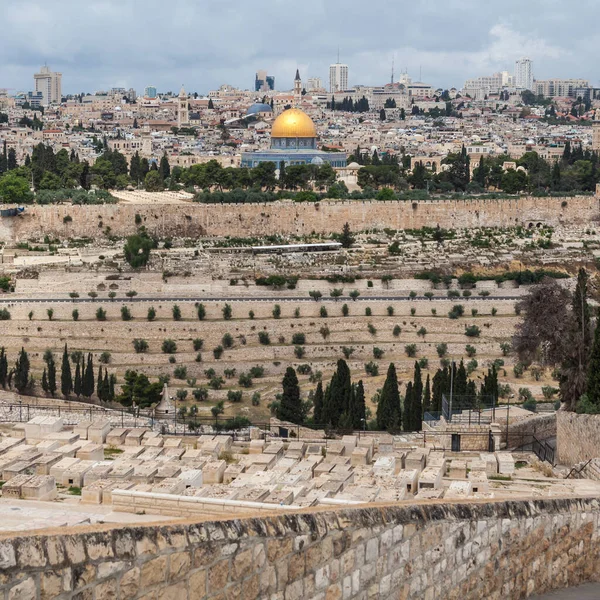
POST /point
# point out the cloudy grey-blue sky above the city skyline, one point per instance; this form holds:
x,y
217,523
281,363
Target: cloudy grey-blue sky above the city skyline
x,y
98,44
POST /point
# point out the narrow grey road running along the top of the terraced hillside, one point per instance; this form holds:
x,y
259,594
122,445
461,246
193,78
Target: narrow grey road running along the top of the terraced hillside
x,y
8,300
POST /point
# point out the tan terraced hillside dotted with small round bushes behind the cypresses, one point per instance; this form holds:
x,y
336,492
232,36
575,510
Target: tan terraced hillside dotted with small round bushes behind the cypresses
x,y
269,334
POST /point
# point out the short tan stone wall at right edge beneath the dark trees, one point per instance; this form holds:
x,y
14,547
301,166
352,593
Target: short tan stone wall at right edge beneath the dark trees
x,y
577,438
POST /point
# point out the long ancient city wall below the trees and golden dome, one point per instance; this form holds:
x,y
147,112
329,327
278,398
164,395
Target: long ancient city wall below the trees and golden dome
x,y
242,220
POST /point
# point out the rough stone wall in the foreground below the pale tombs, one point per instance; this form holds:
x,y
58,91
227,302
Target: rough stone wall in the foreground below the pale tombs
x,y
495,551
